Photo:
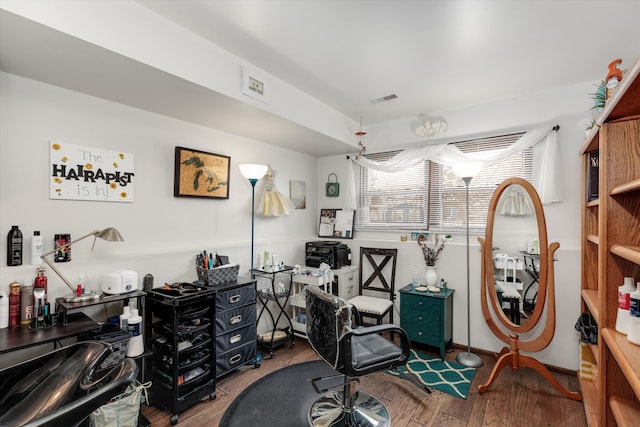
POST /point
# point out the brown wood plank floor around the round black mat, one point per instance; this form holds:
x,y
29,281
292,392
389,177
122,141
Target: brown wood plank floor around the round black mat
x,y
515,399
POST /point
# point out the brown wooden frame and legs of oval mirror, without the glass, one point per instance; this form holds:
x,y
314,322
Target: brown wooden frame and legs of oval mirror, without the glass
x,y
510,356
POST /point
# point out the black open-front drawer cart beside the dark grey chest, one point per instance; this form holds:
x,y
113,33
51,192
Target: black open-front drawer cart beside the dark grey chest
x,y
182,336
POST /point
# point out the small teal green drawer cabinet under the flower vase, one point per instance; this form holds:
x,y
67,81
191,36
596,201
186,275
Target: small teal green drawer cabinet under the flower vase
x,y
427,317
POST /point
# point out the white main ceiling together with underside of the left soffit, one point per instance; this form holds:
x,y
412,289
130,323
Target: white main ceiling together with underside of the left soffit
x,y
436,56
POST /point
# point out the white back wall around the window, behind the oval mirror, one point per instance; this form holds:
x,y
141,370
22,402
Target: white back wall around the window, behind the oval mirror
x,y
566,107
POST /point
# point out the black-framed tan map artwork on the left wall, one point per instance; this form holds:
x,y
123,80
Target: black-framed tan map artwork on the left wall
x,y
201,174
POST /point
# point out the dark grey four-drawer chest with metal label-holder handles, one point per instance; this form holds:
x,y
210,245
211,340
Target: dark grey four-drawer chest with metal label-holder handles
x,y
235,325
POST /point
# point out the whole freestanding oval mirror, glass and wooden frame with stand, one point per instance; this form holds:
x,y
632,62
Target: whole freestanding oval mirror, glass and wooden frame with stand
x,y
517,279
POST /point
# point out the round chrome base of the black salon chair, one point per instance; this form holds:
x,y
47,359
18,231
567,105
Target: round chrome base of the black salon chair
x,y
367,411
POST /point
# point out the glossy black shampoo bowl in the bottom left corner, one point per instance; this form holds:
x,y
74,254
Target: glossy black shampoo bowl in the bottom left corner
x,y
61,388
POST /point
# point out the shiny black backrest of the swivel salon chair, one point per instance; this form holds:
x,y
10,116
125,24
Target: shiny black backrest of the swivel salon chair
x,y
328,319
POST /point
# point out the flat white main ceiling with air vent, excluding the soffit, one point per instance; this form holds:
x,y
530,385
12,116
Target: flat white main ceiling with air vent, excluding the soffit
x,y
434,55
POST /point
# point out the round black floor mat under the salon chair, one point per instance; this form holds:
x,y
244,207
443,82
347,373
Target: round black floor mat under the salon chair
x,y
281,398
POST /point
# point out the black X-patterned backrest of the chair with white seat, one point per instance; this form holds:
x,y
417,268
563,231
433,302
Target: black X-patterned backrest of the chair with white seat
x,y
375,274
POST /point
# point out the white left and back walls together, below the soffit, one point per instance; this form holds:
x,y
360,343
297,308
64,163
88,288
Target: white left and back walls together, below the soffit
x,y
163,233
